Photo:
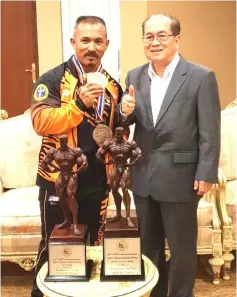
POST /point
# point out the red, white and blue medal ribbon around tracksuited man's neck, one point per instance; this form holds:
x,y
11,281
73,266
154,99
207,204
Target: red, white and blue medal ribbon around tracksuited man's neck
x,y
100,103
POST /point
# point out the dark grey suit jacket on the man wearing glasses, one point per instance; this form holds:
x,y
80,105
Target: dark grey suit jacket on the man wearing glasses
x,y
184,143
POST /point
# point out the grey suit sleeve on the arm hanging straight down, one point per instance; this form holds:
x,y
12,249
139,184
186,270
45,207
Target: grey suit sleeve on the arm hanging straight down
x,y
209,130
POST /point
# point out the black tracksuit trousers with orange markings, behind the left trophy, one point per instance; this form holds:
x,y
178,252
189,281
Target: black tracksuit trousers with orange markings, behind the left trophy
x,y
92,211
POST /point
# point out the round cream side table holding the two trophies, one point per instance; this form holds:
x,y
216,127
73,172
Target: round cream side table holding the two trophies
x,y
96,288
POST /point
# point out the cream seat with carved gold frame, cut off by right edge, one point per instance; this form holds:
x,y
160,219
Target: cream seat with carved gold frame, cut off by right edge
x,y
227,196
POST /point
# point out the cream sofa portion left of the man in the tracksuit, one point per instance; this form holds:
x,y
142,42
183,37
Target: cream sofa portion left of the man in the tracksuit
x,y
20,223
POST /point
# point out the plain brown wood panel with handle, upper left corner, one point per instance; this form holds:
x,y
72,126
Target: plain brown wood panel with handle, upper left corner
x,y
18,52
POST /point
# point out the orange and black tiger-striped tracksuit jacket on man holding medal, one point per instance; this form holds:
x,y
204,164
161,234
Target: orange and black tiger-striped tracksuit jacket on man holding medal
x,y
56,110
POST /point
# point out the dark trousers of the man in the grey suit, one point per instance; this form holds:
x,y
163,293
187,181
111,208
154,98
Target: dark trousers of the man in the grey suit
x,y
178,223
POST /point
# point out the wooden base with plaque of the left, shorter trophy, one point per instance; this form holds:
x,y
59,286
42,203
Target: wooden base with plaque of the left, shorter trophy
x,y
67,255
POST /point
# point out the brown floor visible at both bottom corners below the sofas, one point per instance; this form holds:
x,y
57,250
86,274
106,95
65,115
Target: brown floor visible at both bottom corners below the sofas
x,y
16,282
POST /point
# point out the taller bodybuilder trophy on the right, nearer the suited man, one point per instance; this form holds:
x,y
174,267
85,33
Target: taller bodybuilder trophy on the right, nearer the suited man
x,y
122,256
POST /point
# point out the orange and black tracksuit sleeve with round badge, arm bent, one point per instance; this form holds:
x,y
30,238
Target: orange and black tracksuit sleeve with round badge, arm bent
x,y
49,113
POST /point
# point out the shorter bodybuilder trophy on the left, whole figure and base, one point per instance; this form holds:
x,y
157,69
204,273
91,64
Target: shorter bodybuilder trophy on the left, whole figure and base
x,y
67,244
